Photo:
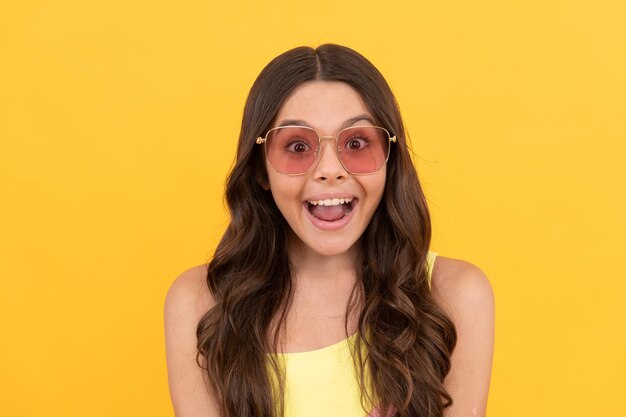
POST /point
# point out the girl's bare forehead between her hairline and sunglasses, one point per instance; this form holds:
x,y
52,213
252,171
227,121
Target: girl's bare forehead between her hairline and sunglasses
x,y
324,105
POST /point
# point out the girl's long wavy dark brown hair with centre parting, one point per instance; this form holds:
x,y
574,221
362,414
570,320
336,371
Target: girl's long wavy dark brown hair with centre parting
x,y
405,340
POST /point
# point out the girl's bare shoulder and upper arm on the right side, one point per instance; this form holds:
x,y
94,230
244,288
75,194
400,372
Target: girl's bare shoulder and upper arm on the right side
x,y
465,293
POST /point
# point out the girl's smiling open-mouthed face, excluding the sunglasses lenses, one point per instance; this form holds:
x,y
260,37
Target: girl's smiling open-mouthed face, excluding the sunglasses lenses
x,y
327,107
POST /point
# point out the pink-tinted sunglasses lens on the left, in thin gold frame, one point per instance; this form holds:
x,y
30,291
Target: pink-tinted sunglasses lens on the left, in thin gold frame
x,y
291,150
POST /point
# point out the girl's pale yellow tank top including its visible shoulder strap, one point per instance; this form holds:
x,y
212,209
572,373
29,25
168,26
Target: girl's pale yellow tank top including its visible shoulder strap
x,y
323,382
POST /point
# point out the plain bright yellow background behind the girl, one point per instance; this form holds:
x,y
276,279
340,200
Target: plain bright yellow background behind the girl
x,y
118,122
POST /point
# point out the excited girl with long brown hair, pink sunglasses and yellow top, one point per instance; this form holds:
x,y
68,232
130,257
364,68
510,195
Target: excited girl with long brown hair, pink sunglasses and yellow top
x,y
322,298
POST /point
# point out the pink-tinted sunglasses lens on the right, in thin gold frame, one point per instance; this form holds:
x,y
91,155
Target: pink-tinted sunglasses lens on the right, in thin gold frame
x,y
363,149
